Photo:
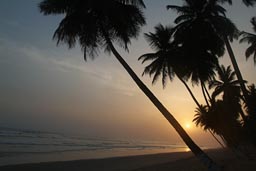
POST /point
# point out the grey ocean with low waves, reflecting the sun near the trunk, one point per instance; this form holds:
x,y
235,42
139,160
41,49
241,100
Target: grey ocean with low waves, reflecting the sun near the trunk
x,y
19,146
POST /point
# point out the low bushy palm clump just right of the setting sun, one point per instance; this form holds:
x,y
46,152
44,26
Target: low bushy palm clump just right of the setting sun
x,y
219,119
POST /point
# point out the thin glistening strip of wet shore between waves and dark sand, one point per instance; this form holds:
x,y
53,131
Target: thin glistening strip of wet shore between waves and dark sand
x,y
29,158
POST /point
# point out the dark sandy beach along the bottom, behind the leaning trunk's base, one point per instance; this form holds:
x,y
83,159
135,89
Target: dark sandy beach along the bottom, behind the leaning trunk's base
x,y
180,161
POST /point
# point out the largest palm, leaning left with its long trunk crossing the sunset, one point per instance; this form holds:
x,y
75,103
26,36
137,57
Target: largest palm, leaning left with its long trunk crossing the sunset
x,y
96,24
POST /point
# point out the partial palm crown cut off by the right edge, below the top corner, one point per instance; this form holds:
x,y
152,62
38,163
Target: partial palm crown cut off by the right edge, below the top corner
x,y
250,39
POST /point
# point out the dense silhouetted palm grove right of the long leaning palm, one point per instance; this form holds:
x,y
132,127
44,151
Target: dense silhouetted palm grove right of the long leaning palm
x,y
191,51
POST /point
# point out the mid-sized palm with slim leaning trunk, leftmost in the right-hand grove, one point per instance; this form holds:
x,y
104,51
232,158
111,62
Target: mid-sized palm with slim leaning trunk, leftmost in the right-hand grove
x,y
167,60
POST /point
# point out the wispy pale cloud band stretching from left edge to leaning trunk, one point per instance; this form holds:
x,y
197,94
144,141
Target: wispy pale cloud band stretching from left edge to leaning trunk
x,y
104,73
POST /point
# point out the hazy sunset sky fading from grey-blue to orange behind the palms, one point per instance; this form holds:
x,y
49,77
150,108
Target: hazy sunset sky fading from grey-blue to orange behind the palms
x,y
49,87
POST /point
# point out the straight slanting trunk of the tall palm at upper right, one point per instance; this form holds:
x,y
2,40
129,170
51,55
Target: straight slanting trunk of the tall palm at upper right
x,y
236,68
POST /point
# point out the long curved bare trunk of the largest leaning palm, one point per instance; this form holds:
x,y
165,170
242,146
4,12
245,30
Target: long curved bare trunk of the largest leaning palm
x,y
203,157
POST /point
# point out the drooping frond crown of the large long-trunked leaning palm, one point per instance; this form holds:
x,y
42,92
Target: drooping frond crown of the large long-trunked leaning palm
x,y
90,23
